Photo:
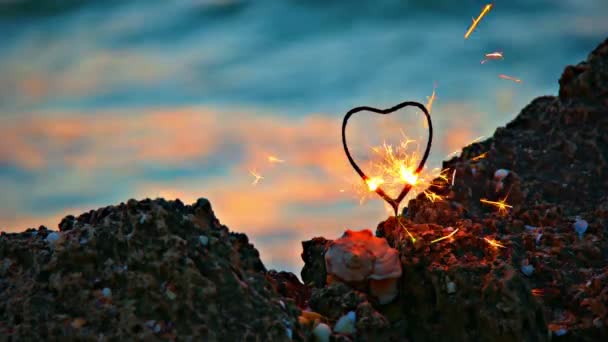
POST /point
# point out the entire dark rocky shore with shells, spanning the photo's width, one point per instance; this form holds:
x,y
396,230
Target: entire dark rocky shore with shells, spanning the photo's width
x,y
536,270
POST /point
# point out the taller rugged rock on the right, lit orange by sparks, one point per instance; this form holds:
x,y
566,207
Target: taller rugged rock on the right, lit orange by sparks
x,y
523,273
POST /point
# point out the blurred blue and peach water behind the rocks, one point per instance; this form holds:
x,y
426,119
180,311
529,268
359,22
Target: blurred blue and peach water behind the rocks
x,y
74,73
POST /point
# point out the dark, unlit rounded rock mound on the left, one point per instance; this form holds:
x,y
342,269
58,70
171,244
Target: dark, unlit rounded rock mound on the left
x,y
151,269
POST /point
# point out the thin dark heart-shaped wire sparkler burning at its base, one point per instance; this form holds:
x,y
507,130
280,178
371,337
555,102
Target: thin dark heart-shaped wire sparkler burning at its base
x,y
393,202
